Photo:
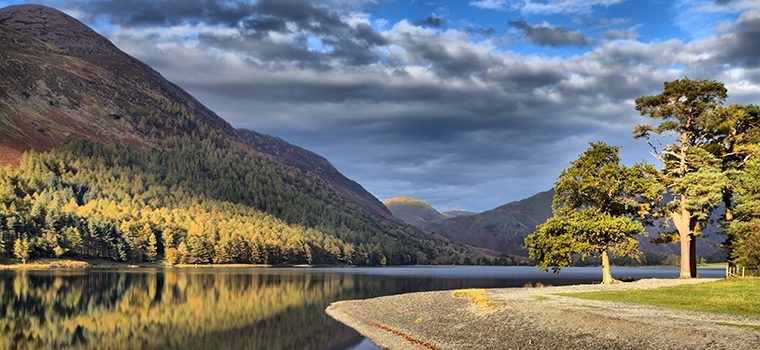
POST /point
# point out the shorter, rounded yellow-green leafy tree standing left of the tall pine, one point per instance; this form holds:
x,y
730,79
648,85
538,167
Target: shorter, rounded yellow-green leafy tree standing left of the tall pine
x,y
595,202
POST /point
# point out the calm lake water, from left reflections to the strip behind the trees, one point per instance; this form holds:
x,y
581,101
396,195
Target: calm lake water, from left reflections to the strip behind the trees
x,y
235,308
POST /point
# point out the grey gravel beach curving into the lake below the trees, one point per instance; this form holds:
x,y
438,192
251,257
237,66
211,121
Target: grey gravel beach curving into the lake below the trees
x,y
536,318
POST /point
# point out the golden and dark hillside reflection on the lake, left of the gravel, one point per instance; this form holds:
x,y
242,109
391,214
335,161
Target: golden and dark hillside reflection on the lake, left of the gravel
x,y
170,310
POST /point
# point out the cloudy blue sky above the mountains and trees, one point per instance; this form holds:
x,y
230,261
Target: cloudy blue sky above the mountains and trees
x,y
466,104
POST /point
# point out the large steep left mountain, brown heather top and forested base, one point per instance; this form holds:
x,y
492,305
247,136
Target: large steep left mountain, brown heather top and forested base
x,y
108,159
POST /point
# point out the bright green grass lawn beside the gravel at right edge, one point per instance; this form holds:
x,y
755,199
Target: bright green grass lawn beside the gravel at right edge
x,y
734,296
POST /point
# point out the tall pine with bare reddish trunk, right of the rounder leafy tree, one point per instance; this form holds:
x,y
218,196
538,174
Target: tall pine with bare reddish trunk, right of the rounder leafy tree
x,y
691,174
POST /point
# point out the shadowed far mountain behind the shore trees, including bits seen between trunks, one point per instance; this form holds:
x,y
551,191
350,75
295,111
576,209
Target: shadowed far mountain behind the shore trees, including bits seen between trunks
x,y
504,229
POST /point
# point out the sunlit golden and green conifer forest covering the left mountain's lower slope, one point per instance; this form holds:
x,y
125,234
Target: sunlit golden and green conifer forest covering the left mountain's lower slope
x,y
196,200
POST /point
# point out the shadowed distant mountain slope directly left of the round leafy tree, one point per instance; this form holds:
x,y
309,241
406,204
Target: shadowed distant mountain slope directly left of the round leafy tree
x,y
502,229
